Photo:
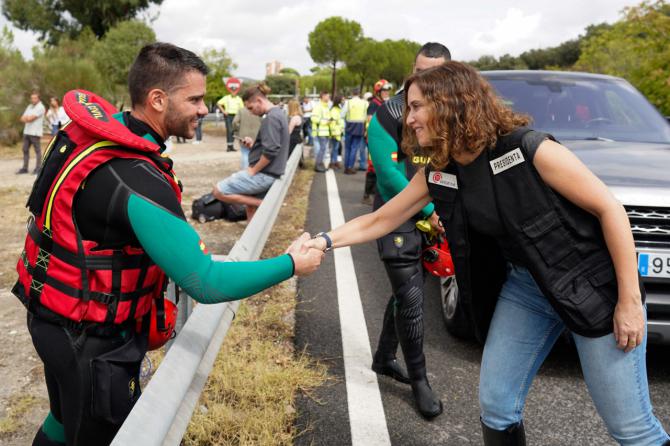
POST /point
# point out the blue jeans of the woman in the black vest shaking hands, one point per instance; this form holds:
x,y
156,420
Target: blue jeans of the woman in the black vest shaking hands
x,y
523,330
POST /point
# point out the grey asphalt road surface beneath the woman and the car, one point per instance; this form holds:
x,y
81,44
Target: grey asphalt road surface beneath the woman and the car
x,y
559,410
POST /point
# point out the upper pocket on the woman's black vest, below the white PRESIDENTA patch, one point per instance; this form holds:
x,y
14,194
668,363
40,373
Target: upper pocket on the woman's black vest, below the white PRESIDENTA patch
x,y
549,236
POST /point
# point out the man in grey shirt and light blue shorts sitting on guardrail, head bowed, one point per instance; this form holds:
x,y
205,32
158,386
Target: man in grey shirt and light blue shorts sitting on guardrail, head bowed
x,y
267,157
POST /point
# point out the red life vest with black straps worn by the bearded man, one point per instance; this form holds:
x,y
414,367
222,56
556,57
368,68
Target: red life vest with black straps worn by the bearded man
x,y
60,271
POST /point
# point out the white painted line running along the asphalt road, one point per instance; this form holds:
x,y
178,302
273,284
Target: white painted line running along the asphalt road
x,y
366,412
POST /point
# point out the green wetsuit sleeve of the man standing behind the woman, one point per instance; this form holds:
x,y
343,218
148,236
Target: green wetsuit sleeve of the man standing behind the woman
x,y
391,177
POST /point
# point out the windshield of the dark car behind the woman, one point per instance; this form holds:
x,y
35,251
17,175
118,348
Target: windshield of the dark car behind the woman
x,y
574,108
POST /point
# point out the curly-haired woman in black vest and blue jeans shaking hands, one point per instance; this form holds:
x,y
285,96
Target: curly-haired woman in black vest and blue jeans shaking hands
x,y
539,245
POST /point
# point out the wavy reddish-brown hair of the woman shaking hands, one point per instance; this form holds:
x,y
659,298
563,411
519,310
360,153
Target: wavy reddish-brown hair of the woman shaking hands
x,y
466,115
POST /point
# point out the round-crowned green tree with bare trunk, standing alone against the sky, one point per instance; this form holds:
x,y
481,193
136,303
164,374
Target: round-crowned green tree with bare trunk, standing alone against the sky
x,y
332,41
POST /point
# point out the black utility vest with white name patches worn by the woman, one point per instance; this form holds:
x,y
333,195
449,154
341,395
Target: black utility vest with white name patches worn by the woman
x,y
562,245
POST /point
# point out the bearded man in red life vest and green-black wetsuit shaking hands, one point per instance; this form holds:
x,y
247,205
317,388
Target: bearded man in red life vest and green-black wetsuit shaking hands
x,y
107,228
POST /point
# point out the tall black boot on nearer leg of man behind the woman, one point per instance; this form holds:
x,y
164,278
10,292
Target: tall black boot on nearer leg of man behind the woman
x,y
409,325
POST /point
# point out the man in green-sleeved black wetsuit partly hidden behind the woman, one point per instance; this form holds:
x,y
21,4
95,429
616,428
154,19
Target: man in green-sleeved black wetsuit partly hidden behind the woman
x,y
401,250
